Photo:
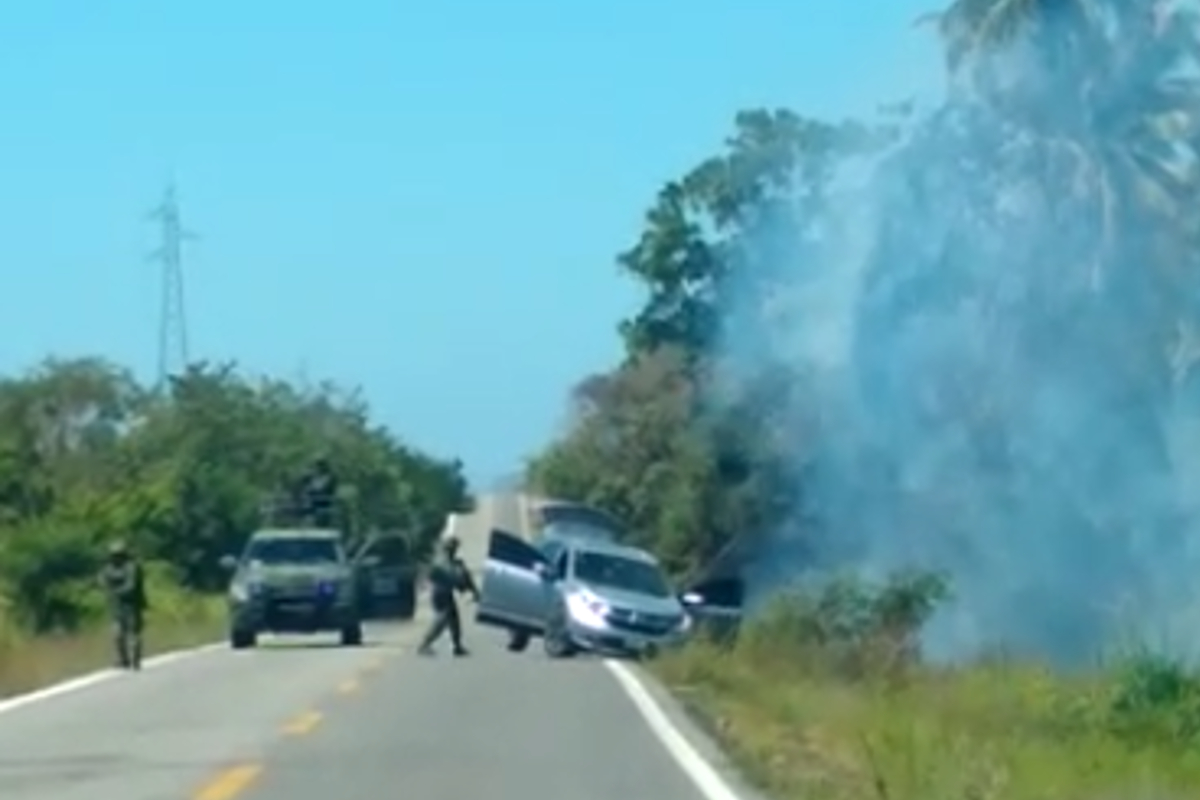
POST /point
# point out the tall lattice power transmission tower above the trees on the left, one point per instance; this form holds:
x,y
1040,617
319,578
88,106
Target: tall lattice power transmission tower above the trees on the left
x,y
173,353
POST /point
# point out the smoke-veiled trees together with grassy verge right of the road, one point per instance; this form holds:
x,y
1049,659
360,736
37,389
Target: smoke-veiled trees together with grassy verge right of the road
x,y
958,340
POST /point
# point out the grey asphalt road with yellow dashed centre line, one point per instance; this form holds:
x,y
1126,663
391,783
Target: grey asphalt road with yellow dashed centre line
x,y
299,721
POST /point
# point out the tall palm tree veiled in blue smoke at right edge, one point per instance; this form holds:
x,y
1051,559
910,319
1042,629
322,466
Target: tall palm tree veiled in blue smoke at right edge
x,y
1103,98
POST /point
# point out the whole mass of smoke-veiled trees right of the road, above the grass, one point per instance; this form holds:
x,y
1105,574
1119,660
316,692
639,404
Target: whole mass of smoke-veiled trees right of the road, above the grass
x,y
959,340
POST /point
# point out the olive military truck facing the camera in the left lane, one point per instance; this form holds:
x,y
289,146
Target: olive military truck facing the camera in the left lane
x,y
295,581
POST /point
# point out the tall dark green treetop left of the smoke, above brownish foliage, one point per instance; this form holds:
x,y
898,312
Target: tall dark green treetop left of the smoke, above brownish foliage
x,y
716,240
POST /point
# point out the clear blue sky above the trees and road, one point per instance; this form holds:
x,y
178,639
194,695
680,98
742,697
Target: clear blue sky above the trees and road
x,y
421,200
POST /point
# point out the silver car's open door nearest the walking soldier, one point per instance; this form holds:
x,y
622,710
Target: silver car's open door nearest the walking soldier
x,y
513,588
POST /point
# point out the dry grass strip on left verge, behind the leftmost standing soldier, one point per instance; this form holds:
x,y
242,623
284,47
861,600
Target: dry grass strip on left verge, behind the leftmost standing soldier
x,y
31,663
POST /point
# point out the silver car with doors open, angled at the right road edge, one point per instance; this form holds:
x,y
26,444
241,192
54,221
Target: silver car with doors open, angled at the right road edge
x,y
583,593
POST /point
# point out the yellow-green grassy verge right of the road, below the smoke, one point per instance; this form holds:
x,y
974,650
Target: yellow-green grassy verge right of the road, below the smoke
x,y
802,725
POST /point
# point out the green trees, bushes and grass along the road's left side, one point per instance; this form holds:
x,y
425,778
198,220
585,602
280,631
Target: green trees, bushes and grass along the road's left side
x,y
88,455
